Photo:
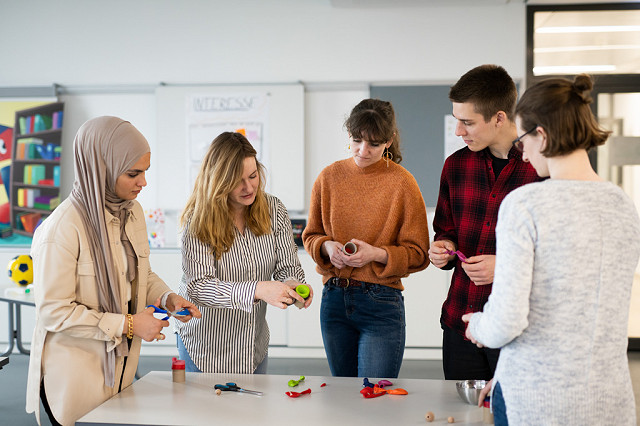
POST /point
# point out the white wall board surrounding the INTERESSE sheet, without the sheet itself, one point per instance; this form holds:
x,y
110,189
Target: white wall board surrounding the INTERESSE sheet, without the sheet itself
x,y
285,132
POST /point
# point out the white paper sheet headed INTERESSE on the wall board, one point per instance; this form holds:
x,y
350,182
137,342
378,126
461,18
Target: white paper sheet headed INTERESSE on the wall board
x,y
208,115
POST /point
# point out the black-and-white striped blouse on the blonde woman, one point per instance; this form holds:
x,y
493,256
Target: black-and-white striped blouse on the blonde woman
x,y
232,336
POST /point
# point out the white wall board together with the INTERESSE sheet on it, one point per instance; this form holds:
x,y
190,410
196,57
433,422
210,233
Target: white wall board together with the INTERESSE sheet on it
x,y
281,130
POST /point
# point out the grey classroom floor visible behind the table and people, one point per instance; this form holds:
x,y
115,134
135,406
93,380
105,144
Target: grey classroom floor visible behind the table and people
x,y
13,379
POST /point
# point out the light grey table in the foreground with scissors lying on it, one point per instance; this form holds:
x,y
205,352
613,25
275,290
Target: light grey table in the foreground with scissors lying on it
x,y
156,399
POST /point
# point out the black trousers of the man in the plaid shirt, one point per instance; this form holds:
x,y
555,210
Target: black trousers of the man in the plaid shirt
x,y
463,360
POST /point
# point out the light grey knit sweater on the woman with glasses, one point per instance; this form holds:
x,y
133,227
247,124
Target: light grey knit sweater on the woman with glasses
x,y
566,256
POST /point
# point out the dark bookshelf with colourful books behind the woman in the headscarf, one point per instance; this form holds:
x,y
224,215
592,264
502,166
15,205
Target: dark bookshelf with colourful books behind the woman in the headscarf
x,y
35,166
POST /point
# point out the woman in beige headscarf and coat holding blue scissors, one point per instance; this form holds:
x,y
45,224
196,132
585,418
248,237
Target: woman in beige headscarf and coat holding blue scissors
x,y
93,280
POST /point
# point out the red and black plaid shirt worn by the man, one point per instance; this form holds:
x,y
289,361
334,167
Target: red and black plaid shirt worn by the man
x,y
467,213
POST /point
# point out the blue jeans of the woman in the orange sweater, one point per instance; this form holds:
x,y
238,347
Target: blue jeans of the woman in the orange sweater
x,y
363,329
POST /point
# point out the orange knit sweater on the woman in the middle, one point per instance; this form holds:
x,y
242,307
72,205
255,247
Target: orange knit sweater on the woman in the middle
x,y
380,205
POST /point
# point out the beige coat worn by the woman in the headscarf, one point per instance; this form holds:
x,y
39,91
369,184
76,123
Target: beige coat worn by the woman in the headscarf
x,y
68,346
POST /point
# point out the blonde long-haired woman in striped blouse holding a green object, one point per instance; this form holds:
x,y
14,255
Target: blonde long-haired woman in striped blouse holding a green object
x,y
238,254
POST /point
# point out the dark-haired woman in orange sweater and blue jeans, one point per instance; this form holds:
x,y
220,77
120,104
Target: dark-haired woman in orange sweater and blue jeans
x,y
376,204
